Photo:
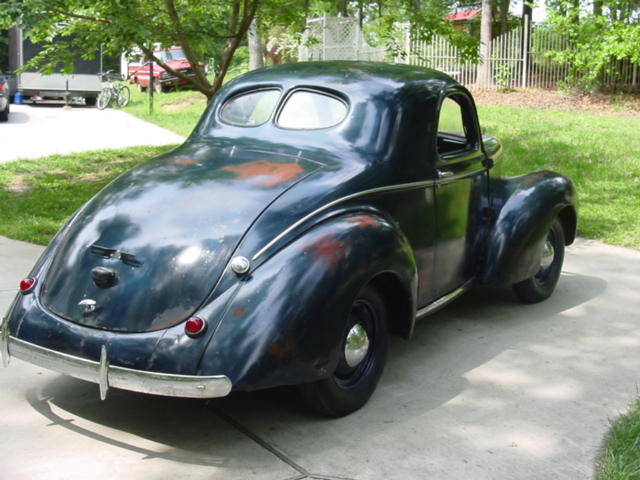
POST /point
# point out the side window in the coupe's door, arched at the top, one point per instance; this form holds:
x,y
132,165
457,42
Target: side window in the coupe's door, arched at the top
x,y
455,127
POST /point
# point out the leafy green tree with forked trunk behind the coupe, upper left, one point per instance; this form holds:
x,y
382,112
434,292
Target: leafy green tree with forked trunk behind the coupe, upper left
x,y
204,29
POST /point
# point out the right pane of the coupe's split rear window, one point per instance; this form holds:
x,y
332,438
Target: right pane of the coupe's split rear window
x,y
305,110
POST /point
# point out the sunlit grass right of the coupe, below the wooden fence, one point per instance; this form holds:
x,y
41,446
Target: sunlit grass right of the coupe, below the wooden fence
x,y
601,155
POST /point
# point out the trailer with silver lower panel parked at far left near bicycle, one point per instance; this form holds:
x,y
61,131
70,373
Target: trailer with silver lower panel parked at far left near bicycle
x,y
83,82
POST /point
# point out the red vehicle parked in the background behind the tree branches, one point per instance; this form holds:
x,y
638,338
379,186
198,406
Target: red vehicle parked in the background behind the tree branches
x,y
138,71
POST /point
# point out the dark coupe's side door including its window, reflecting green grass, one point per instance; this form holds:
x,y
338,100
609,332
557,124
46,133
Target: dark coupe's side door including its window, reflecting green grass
x,y
460,182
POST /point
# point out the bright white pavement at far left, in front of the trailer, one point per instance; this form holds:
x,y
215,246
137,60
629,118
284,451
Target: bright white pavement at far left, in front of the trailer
x,y
38,130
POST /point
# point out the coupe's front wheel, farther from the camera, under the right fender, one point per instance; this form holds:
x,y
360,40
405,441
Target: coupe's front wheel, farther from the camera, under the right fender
x,y
540,286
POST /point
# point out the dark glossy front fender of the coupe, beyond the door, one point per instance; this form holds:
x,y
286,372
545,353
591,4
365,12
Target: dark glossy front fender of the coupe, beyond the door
x,y
523,210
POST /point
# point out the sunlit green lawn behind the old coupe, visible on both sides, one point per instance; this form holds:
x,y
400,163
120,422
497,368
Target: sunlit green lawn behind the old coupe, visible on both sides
x,y
601,154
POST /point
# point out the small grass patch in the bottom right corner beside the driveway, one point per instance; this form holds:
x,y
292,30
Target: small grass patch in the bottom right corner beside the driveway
x,y
620,457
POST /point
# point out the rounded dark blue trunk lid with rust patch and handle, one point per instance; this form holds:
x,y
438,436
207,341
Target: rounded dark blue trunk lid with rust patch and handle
x,y
147,250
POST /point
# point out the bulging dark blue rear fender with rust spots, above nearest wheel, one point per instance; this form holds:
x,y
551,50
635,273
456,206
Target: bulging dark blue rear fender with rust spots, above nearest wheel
x,y
286,323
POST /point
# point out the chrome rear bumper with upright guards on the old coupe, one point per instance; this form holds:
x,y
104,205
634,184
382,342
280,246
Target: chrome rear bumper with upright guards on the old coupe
x,y
105,375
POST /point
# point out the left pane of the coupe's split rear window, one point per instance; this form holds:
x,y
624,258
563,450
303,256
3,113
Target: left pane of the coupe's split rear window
x,y
250,109
